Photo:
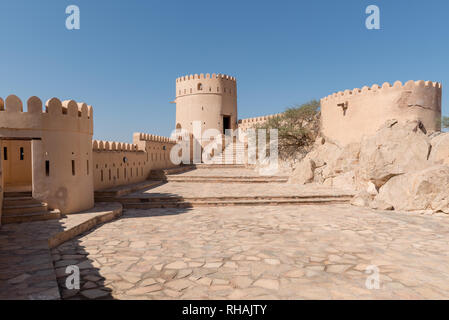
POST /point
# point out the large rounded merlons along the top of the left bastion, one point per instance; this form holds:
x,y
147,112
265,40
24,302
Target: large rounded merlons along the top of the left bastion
x,y
56,116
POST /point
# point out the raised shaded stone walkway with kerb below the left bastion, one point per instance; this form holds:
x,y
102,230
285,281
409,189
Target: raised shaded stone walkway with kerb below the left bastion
x,y
26,264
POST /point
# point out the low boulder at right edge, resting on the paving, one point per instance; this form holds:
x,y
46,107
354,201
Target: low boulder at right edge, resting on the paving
x,y
426,189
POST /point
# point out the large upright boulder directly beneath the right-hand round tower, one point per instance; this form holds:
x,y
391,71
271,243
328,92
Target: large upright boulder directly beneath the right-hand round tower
x,y
394,150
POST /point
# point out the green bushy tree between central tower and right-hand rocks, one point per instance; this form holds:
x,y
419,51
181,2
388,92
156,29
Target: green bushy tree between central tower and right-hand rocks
x,y
297,127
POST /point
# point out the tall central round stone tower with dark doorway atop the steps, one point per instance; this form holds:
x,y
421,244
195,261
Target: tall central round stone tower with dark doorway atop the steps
x,y
210,99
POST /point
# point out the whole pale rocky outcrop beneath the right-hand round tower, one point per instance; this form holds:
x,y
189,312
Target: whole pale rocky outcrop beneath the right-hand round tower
x,y
401,167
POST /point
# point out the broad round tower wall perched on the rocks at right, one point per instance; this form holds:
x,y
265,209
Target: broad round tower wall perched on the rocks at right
x,y
370,107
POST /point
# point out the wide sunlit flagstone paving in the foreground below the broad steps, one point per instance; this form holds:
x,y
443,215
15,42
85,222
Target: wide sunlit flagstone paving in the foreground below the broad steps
x,y
303,252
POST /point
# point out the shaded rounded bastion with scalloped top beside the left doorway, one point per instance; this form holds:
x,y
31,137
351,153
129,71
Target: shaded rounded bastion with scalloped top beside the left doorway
x,y
59,134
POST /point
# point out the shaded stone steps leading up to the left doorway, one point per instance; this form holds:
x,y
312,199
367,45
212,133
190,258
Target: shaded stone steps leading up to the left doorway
x,y
22,207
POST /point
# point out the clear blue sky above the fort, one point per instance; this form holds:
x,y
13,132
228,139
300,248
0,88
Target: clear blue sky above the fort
x,y
127,54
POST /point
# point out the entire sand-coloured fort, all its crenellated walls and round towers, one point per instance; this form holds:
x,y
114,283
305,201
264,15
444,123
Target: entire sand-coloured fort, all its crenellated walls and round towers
x,y
50,152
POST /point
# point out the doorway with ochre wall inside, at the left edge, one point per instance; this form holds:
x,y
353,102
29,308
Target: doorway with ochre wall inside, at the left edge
x,y
16,162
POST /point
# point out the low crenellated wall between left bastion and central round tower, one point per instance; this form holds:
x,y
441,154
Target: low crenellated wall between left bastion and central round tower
x,y
117,163
